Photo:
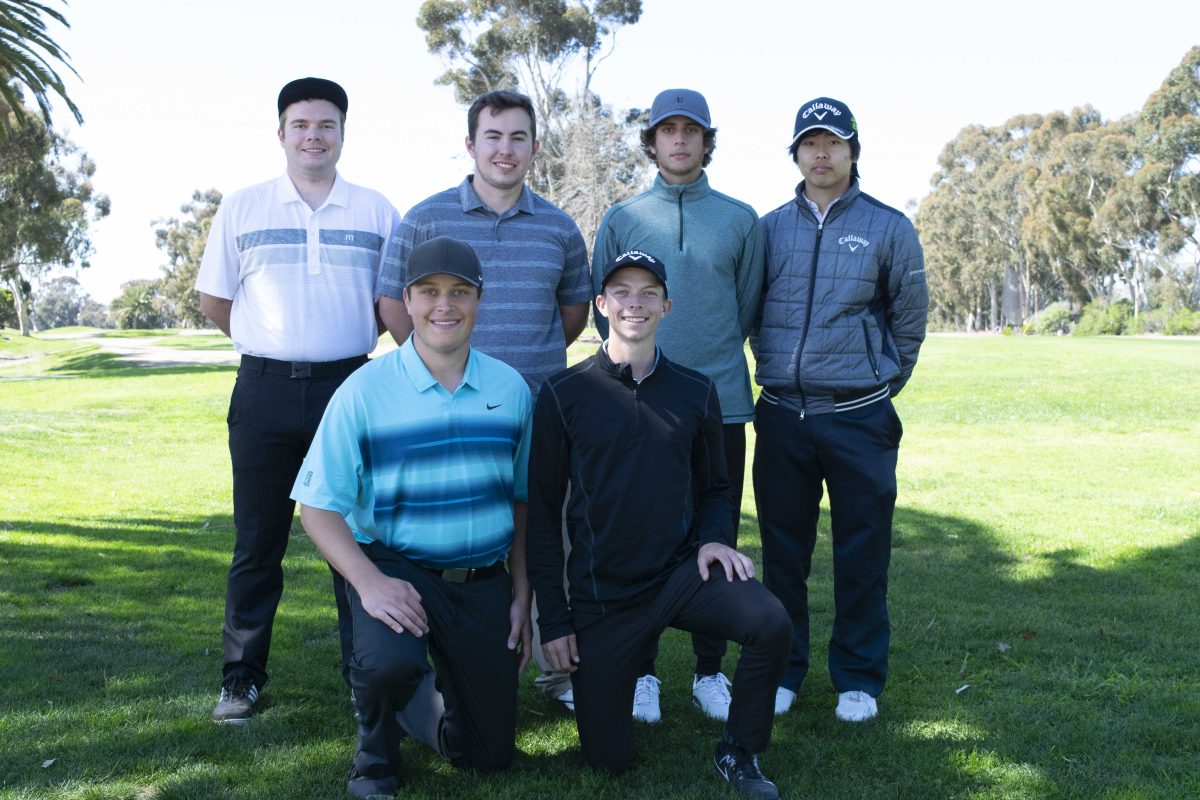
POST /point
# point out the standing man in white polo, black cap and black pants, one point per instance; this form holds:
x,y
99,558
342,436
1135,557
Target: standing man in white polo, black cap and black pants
x,y
290,274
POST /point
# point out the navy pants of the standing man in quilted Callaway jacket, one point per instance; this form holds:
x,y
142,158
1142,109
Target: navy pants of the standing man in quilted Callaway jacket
x,y
855,455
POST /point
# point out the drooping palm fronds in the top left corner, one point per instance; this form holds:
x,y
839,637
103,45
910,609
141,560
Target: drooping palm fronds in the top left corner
x,y
27,53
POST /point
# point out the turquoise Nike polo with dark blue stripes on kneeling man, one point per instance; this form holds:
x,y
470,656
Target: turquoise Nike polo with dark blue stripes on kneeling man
x,y
430,474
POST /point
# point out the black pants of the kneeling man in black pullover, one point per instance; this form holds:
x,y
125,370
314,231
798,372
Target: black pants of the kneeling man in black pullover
x,y
611,648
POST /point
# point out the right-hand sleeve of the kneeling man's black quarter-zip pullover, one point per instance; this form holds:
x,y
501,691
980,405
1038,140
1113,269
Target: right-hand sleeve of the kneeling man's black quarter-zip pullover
x,y
713,521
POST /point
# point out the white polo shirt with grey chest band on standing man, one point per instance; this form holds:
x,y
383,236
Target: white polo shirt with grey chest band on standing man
x,y
303,282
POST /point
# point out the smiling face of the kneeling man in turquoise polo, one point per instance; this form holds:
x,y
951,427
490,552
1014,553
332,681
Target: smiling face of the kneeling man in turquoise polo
x,y
443,309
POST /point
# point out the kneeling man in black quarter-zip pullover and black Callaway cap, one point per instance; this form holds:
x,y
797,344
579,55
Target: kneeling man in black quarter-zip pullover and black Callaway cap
x,y
650,521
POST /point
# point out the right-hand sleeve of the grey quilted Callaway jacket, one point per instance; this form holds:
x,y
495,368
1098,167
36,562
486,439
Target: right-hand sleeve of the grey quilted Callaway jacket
x,y
908,300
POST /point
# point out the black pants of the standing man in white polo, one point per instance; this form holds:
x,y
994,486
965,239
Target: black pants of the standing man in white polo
x,y
273,419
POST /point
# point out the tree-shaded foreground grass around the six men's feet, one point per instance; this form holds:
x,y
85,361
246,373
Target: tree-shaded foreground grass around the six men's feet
x,y
110,649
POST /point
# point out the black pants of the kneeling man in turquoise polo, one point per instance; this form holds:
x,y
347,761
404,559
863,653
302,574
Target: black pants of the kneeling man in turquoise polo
x,y
473,724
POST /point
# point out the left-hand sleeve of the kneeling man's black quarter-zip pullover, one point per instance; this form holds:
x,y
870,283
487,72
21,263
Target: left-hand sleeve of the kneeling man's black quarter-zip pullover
x,y
544,538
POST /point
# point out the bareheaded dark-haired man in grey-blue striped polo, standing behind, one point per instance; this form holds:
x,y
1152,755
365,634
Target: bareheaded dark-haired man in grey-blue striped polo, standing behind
x,y
536,263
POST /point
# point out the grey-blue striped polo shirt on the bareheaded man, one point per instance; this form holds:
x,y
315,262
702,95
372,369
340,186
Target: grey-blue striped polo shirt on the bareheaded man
x,y
535,261
